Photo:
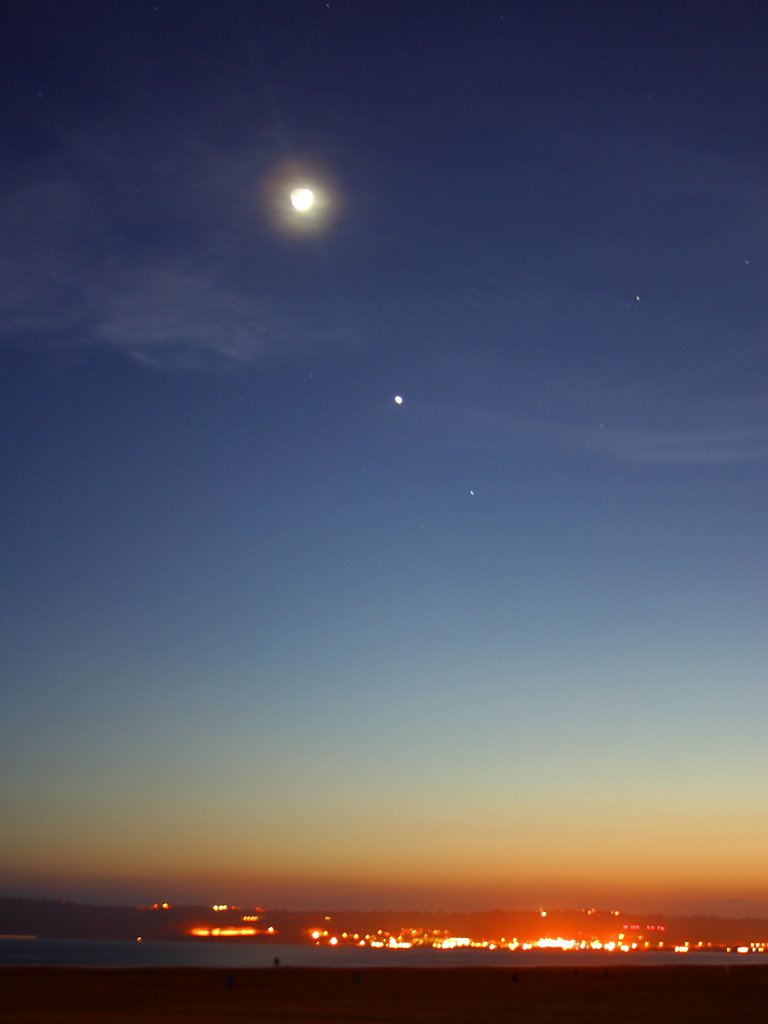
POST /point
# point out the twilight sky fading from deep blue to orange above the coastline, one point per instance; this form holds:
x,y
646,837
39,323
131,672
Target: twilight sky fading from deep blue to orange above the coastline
x,y
269,636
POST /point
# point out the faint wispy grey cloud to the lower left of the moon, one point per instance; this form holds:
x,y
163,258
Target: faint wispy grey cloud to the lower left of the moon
x,y
167,317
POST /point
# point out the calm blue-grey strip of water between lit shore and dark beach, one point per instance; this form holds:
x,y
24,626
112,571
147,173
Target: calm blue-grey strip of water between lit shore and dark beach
x,y
100,954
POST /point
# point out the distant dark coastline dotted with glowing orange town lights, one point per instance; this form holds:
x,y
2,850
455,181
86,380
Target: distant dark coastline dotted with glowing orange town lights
x,y
582,929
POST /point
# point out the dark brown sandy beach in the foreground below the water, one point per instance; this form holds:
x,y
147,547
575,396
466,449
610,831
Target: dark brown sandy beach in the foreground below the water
x,y
617,996
